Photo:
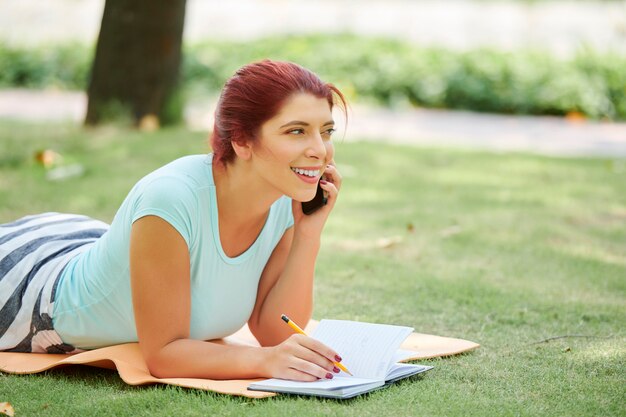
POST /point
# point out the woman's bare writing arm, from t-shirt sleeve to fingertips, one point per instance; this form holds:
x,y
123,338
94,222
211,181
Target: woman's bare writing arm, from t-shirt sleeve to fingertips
x,y
160,284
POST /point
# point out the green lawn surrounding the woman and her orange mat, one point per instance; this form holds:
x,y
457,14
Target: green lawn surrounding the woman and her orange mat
x,y
504,250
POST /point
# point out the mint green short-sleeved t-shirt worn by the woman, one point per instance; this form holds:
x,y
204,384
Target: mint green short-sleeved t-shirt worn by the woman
x,y
93,306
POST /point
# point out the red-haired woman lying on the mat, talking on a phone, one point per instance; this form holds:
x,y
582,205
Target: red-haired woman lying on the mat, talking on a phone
x,y
198,248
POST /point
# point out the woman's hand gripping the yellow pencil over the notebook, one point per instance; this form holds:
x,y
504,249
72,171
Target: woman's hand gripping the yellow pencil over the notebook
x,y
301,358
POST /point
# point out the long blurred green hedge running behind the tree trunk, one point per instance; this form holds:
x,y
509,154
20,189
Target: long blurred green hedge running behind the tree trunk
x,y
381,70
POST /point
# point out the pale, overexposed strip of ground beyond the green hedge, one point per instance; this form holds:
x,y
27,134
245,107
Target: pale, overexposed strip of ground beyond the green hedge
x,y
563,27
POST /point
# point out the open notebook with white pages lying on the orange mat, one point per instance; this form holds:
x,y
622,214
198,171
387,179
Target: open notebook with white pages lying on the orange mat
x,y
369,351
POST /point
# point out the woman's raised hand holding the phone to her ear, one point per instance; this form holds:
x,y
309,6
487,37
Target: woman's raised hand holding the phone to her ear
x,y
314,223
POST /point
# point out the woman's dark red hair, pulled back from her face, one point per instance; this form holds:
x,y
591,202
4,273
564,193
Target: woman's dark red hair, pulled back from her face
x,y
255,94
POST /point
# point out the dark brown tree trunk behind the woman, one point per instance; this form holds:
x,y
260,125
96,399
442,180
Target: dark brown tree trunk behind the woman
x,y
135,70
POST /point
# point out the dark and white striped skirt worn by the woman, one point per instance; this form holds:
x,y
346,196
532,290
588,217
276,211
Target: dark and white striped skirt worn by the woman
x,y
33,252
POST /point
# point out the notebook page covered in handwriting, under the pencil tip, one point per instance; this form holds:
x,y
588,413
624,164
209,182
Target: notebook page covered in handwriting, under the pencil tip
x,y
367,349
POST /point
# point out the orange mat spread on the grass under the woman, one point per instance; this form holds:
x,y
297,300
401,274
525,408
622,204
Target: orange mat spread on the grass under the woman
x,y
132,369
